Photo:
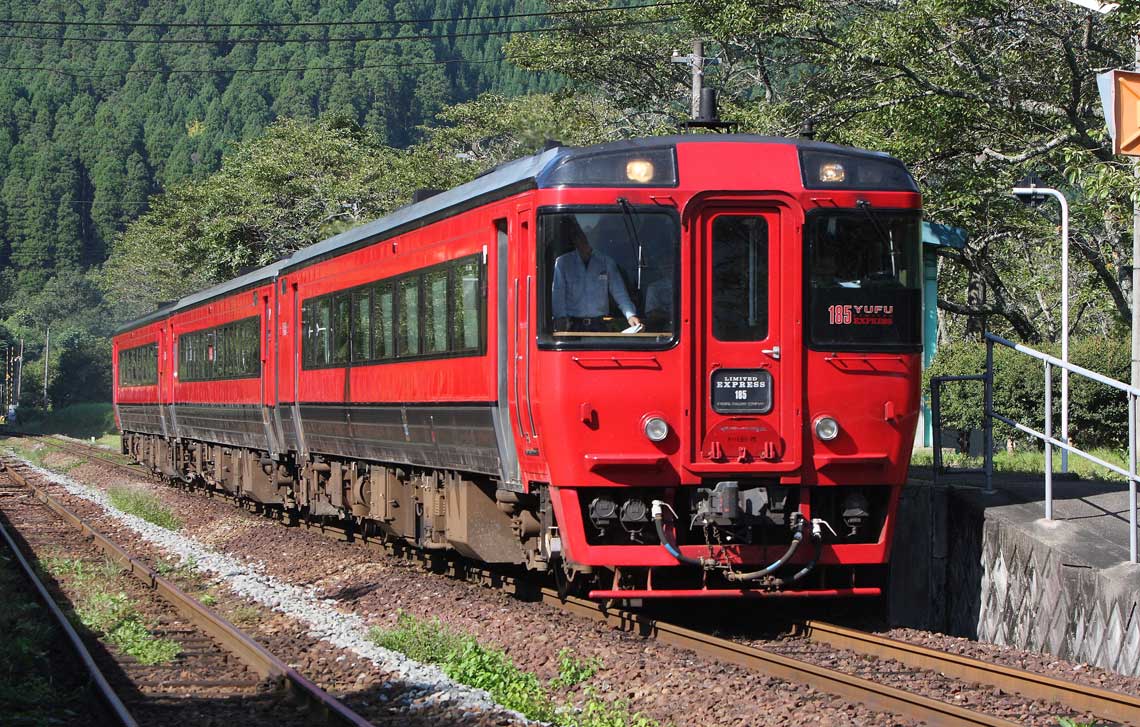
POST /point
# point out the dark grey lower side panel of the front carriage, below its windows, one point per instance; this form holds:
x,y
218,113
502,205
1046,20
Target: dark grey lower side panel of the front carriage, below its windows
x,y
449,438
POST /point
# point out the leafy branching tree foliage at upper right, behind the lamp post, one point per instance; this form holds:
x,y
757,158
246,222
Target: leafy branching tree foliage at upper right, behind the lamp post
x,y
971,94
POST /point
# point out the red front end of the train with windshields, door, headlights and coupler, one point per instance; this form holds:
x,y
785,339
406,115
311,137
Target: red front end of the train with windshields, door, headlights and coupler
x,y
738,421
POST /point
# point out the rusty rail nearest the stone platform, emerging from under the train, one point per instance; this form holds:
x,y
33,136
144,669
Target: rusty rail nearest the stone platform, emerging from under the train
x,y
1104,704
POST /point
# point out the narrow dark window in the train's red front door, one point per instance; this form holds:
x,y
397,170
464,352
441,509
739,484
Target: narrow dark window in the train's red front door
x,y
740,279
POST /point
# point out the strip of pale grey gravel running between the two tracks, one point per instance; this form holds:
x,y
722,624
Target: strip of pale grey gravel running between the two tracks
x,y
425,685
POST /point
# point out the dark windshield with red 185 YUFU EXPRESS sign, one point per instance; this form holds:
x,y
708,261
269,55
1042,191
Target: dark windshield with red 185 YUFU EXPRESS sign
x,y
865,280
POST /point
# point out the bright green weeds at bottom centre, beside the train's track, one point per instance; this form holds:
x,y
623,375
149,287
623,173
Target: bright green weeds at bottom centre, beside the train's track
x,y
463,659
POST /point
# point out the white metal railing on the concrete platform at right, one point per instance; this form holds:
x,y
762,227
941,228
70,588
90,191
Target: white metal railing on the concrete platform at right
x,y
1047,437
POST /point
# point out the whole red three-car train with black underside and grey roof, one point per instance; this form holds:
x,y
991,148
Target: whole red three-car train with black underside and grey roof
x,y
669,367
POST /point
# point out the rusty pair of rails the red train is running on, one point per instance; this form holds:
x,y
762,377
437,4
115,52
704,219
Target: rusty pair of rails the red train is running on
x,y
1105,705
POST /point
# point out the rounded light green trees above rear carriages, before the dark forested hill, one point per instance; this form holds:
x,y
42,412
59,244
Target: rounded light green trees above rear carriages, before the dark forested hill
x,y
304,182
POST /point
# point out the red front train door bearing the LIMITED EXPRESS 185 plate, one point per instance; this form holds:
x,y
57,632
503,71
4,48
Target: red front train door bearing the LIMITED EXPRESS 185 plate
x,y
747,414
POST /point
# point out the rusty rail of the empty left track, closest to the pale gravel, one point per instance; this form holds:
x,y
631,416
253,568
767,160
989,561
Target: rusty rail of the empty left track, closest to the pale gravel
x,y
255,656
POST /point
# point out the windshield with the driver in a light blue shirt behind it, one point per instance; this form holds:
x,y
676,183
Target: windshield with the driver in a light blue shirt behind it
x,y
609,277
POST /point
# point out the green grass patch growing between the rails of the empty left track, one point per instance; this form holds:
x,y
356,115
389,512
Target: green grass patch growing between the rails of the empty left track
x,y
109,612
